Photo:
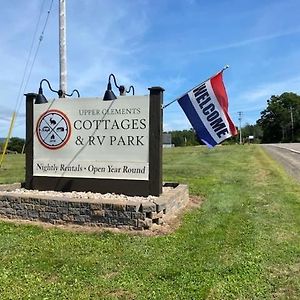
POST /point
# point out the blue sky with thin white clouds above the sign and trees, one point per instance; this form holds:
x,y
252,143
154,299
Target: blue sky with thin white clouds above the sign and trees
x,y
175,44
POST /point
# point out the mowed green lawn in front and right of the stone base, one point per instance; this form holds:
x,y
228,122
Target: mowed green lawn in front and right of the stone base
x,y
242,243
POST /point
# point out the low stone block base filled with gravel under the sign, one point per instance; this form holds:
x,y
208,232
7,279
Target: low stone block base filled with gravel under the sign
x,y
93,212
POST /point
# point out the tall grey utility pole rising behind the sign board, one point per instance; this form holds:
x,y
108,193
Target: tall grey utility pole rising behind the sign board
x,y
62,48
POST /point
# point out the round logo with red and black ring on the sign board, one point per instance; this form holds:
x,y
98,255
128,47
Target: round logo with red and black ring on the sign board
x,y
53,129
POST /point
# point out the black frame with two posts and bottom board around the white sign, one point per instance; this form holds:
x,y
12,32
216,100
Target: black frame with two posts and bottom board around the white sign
x,y
153,186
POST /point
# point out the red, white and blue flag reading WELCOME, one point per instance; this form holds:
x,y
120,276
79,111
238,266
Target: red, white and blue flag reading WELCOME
x,y
206,107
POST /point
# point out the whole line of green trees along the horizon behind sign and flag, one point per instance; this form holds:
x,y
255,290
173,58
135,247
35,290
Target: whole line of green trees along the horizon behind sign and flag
x,y
278,122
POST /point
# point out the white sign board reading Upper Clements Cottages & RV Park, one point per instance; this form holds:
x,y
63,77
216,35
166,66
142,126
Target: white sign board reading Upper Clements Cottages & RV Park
x,y
91,138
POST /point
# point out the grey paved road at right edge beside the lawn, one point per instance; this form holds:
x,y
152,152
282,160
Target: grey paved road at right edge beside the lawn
x,y
288,155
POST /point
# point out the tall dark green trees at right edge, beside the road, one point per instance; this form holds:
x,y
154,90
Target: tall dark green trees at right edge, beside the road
x,y
280,121
